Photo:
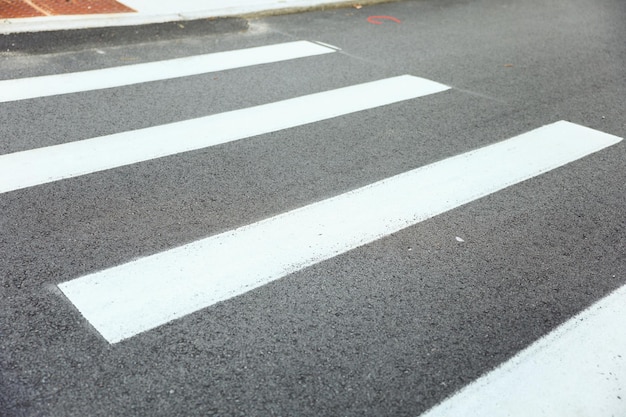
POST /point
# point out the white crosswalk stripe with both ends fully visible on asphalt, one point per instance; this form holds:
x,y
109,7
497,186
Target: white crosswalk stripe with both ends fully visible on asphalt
x,y
128,299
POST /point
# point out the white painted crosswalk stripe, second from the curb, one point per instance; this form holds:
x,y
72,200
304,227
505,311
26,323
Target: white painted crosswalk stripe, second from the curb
x,y
38,166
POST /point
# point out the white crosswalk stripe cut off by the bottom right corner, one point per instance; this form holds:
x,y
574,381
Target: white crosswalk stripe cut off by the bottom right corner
x,y
579,369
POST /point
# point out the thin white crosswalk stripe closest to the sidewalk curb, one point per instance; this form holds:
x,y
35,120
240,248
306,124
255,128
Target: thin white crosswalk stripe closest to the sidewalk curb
x,y
49,85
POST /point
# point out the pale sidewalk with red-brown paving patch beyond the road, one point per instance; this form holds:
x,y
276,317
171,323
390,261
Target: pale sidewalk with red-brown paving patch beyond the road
x,y
46,15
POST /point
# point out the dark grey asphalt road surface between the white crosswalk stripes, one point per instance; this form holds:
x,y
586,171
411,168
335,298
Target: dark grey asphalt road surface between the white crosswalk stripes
x,y
389,328
